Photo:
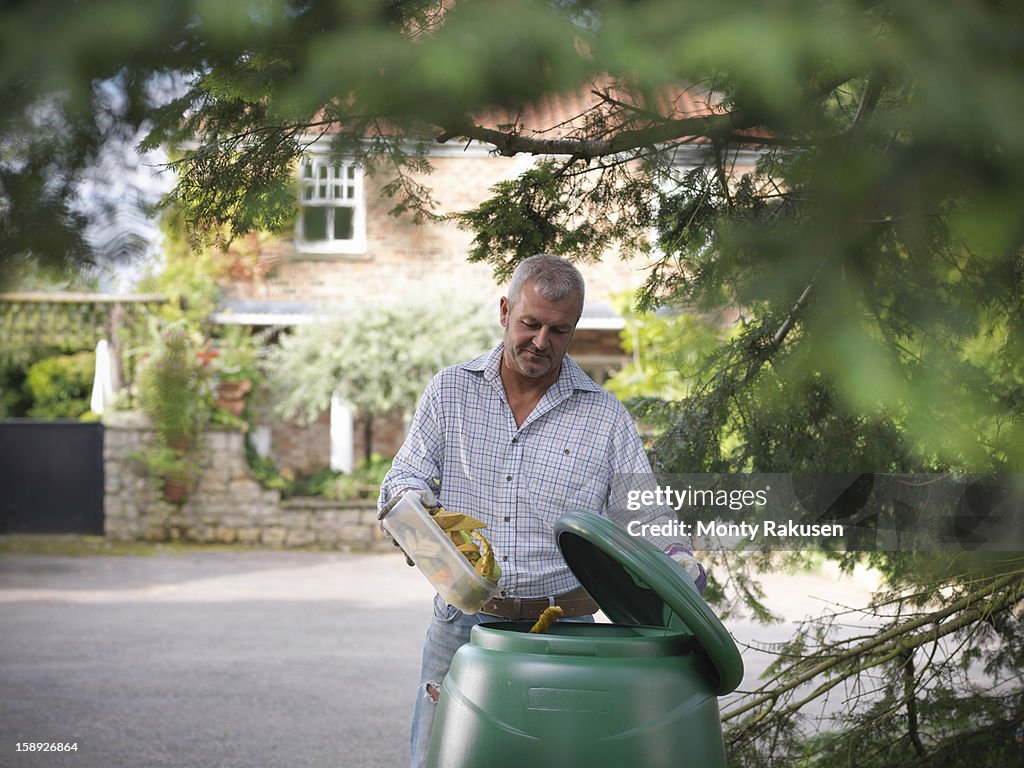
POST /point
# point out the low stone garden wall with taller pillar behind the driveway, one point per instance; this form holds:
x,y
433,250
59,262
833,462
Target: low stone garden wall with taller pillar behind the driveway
x,y
227,504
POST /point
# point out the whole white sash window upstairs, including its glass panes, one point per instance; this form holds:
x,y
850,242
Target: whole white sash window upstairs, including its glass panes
x,y
332,218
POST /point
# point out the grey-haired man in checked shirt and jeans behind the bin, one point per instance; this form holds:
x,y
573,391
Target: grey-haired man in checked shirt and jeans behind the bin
x,y
516,439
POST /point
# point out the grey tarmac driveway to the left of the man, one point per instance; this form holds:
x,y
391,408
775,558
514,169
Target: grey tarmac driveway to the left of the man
x,y
211,659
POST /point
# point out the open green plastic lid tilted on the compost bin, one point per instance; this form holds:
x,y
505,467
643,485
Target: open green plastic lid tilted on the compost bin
x,y
635,583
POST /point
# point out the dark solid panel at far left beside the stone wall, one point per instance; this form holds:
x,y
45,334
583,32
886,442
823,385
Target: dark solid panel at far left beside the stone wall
x,y
52,478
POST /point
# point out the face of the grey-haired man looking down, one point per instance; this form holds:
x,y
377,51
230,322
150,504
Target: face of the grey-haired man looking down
x,y
538,332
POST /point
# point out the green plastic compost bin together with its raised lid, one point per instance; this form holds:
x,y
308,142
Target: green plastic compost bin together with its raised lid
x,y
641,693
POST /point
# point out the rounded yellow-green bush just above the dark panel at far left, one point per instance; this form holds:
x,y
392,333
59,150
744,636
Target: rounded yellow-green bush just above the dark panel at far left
x,y
61,387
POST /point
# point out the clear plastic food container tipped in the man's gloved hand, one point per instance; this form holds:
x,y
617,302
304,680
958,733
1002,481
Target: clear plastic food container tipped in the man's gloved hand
x,y
435,554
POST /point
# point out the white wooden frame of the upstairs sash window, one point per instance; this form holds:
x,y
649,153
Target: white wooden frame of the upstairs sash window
x,y
329,184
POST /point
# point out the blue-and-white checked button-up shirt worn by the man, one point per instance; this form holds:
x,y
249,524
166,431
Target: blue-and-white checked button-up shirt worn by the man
x,y
578,450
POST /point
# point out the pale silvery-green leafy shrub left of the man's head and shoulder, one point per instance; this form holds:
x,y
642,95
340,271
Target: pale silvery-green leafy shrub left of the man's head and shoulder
x,y
377,358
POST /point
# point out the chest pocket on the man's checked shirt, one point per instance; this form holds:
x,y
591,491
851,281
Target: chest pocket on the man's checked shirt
x,y
562,477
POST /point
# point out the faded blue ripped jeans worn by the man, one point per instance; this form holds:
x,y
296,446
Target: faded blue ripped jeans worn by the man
x,y
449,631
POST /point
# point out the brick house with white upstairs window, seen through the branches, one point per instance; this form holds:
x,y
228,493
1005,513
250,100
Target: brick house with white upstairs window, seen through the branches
x,y
346,245
